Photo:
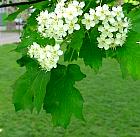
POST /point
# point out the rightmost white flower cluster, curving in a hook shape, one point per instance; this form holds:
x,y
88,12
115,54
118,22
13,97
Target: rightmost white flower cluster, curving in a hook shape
x,y
114,25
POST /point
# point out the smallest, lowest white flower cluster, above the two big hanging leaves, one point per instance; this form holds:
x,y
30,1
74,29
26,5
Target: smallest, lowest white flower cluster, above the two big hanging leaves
x,y
47,56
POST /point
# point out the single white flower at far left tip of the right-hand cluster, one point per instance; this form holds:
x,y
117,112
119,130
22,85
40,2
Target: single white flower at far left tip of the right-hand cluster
x,y
88,21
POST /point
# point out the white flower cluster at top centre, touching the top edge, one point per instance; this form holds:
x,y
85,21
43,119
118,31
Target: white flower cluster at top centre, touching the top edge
x,y
63,21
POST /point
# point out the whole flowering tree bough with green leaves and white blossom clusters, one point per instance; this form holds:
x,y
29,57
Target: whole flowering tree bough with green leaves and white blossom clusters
x,y
60,32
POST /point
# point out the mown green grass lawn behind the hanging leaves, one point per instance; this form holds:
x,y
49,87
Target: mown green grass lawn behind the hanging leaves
x,y
111,108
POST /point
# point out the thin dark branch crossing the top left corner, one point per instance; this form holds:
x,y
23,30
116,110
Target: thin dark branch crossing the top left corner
x,y
20,3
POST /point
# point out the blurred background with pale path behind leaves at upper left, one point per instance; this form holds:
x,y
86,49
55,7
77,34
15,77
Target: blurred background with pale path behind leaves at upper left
x,y
10,30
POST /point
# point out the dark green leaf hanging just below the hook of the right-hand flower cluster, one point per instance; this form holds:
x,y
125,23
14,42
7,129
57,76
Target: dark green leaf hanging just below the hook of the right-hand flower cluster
x,y
90,53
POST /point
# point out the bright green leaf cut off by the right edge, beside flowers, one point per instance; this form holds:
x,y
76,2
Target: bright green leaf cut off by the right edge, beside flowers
x,y
129,56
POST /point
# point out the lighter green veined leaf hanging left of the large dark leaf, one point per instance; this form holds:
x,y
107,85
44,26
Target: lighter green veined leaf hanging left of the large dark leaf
x,y
30,88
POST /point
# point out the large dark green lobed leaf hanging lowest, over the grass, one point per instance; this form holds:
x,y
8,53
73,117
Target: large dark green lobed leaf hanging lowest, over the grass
x,y
62,98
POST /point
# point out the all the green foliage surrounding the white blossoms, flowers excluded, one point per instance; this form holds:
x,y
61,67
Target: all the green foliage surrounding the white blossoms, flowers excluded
x,y
55,90
